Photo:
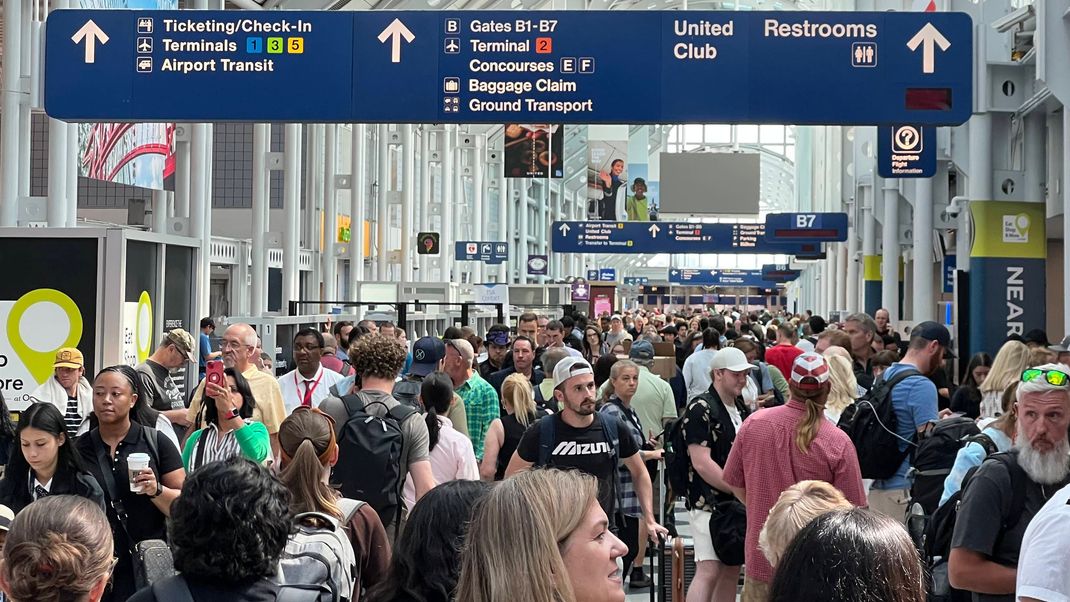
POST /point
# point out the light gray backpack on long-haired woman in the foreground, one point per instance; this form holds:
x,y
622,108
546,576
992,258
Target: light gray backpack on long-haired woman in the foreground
x,y
322,559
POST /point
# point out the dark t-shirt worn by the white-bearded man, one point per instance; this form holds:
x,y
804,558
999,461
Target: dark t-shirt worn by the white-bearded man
x,y
986,507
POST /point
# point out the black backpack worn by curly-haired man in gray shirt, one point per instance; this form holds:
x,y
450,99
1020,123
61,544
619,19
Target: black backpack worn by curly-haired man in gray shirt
x,y
370,457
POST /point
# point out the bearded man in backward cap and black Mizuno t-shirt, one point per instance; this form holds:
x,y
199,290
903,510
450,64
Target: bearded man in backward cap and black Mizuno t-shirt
x,y
580,442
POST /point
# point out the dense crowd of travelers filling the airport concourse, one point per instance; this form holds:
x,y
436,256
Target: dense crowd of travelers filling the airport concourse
x,y
543,461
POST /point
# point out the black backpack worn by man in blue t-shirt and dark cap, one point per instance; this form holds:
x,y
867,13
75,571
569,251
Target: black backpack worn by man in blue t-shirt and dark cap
x,y
872,424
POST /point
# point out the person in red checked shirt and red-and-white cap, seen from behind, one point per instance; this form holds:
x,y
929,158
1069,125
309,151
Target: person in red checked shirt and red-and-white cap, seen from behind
x,y
782,446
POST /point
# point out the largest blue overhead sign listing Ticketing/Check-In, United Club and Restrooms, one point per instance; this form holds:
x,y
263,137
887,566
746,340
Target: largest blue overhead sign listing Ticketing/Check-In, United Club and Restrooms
x,y
498,67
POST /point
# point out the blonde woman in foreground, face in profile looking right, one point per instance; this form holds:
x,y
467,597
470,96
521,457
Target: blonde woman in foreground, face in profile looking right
x,y
562,552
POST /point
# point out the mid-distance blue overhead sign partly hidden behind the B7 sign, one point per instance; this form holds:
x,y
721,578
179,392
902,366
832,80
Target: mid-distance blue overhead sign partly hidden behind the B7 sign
x,y
668,238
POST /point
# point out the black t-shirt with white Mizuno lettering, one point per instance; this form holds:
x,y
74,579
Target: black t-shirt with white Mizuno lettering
x,y
585,450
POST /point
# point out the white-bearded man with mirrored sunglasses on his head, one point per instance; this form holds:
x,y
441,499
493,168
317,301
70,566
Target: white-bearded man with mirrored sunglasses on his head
x,y
1011,488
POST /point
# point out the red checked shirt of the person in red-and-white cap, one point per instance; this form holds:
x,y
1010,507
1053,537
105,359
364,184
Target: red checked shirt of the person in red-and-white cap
x,y
766,461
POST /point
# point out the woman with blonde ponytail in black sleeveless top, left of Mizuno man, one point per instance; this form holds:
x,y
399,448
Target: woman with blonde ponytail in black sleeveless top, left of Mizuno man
x,y
505,434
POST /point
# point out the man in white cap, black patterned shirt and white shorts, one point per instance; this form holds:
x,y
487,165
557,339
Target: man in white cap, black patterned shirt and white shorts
x,y
710,427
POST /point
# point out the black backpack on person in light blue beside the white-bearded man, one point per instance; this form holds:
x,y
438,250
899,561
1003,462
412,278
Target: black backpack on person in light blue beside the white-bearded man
x,y
935,457
